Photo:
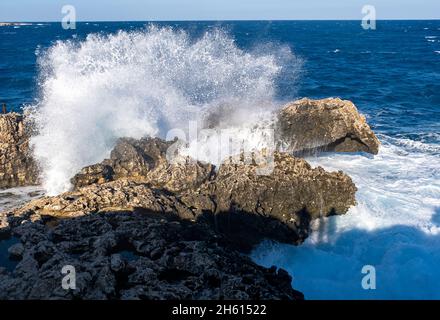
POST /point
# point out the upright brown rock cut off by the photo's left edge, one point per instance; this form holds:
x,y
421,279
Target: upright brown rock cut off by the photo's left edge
x,y
17,168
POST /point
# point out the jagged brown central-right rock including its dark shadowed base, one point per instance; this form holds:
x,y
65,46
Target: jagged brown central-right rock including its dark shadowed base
x,y
251,206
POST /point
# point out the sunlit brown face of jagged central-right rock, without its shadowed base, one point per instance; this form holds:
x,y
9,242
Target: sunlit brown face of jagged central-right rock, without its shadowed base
x,y
293,186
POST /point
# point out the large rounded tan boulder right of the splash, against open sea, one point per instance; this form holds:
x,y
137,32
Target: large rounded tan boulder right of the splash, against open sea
x,y
329,124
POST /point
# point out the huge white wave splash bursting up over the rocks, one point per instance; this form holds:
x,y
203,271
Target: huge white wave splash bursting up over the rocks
x,y
134,84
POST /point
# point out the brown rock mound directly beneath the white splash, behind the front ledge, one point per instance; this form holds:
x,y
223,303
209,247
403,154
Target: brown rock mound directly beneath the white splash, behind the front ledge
x,y
145,161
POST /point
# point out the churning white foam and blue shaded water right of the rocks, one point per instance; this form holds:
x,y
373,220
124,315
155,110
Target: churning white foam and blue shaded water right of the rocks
x,y
394,227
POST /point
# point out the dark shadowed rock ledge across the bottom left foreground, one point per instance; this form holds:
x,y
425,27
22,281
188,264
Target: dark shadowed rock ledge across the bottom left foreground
x,y
134,256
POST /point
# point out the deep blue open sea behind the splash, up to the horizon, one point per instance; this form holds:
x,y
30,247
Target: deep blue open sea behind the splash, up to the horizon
x,y
391,73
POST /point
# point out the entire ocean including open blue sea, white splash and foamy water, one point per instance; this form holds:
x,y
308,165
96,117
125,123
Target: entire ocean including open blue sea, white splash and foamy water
x,y
104,80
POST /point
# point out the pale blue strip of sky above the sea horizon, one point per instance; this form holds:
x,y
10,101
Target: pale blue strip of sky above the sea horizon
x,y
88,10
